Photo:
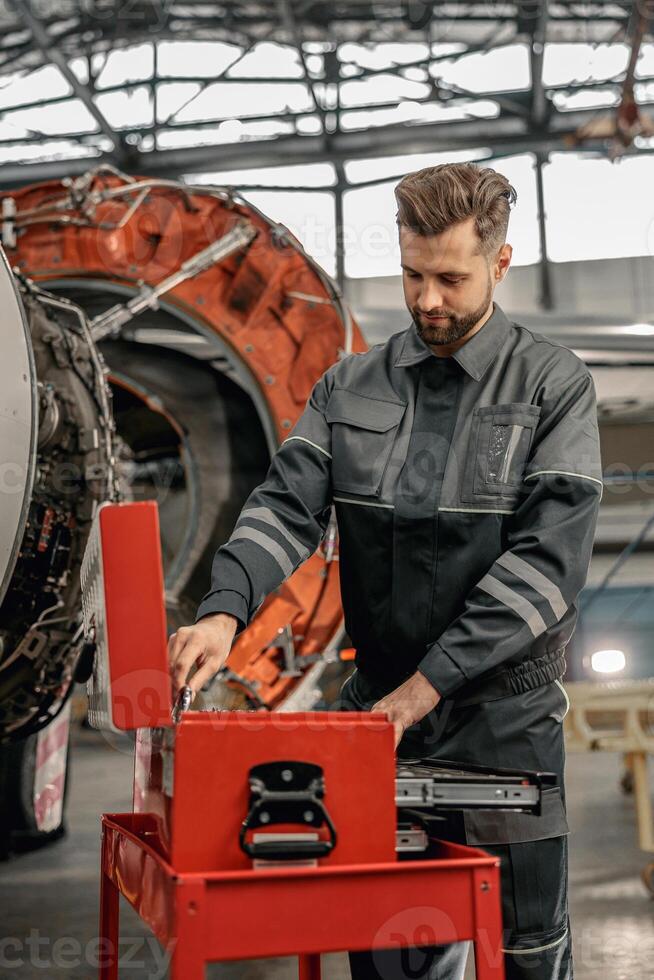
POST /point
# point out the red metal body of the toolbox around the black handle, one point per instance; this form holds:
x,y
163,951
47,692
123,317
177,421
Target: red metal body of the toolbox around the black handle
x,y
195,781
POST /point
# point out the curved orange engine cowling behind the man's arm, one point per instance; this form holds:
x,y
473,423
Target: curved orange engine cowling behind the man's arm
x,y
214,324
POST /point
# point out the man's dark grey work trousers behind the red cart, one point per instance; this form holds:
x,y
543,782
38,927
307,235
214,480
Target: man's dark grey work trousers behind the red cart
x,y
522,731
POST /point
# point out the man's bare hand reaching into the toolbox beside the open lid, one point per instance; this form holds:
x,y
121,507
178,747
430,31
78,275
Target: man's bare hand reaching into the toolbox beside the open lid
x,y
205,645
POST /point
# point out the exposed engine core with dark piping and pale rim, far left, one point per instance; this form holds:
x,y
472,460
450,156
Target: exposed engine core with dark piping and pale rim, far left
x,y
62,462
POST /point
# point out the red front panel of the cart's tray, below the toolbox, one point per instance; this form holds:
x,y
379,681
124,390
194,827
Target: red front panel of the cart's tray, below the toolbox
x,y
380,906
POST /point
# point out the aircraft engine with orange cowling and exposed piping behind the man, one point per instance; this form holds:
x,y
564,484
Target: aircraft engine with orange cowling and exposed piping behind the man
x,y
214,323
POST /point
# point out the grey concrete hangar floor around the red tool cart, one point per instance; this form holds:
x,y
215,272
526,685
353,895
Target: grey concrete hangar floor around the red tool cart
x,y
49,899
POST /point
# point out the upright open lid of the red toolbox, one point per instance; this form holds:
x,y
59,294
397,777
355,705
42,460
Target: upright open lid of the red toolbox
x,y
124,616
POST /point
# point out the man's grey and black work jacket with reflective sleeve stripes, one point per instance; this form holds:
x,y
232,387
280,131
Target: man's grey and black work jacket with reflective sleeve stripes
x,y
466,492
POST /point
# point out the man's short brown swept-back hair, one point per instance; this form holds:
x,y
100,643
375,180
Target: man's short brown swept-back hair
x,y
433,199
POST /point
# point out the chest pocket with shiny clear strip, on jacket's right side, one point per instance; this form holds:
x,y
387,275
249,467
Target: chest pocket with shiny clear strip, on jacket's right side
x,y
500,440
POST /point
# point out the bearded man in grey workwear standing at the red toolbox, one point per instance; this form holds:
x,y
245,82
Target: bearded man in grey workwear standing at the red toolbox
x,y
462,459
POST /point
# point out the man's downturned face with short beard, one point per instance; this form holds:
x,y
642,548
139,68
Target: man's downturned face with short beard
x,y
448,282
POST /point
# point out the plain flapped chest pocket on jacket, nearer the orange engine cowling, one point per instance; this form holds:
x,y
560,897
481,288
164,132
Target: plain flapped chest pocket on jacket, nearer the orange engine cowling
x,y
363,433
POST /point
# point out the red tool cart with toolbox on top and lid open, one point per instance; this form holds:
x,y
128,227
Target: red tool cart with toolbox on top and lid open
x,y
255,834
